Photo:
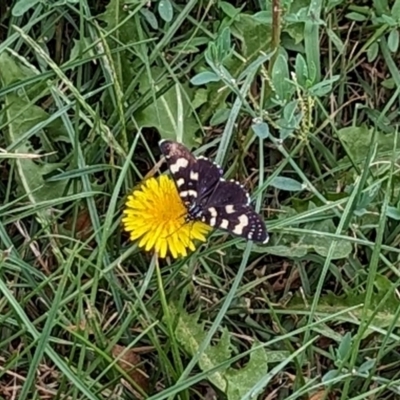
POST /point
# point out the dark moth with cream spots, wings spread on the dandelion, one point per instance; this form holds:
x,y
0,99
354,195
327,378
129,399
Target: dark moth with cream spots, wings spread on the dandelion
x,y
208,197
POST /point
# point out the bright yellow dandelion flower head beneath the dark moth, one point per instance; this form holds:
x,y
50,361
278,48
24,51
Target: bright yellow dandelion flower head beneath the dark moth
x,y
155,215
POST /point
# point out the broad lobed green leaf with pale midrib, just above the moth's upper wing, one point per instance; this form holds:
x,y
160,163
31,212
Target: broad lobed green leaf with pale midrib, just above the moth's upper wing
x,y
163,112
